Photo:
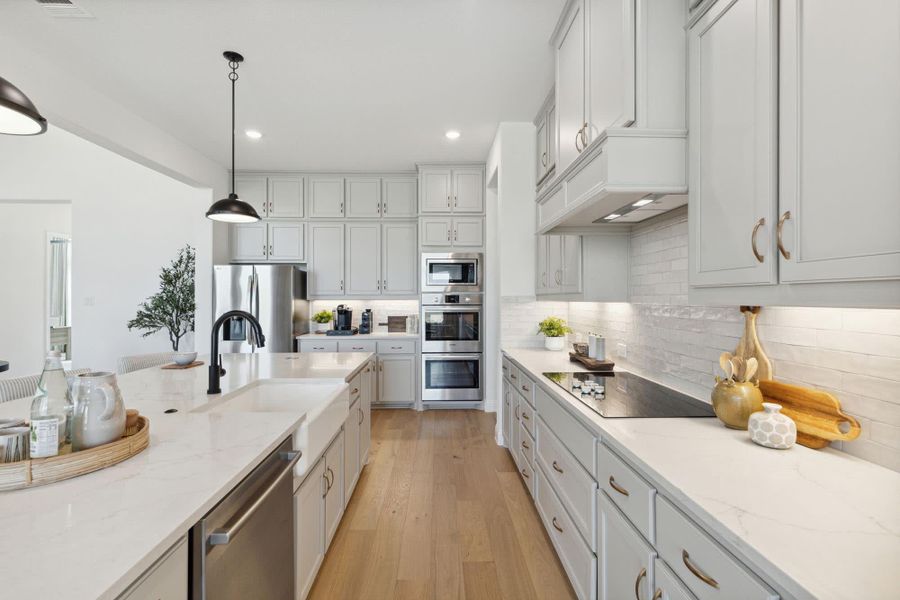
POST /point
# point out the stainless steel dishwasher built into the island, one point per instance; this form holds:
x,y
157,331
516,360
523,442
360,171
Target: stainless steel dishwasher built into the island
x,y
244,547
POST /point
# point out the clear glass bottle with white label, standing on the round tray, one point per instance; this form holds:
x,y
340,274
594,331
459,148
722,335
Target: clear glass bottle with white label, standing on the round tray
x,y
51,411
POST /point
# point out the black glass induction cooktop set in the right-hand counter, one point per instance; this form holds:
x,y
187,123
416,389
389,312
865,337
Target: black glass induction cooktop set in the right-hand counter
x,y
620,394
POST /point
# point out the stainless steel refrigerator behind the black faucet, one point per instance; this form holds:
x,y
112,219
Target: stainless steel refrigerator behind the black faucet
x,y
274,294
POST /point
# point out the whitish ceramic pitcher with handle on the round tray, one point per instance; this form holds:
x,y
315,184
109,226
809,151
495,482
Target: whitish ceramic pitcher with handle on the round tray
x,y
99,411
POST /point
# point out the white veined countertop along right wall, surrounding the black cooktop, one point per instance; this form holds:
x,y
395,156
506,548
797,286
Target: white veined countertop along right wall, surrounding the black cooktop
x,y
818,523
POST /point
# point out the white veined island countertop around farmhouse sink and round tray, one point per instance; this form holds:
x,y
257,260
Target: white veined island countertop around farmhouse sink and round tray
x,y
92,536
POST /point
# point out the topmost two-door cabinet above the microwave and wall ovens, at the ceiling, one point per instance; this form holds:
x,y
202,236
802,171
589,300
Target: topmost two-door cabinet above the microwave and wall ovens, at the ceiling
x,y
451,189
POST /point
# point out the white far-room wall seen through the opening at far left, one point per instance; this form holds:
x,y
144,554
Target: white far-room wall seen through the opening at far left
x,y
23,307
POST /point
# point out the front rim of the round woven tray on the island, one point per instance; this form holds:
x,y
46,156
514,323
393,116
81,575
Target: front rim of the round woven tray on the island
x,y
41,471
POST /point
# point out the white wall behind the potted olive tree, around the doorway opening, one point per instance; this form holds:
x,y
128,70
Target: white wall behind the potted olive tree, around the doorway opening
x,y
127,221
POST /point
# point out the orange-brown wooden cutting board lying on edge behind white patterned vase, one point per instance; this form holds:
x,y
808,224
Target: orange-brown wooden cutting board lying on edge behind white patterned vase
x,y
817,414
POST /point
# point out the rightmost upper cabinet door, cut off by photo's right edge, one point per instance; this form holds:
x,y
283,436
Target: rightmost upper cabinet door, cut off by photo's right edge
x,y
828,159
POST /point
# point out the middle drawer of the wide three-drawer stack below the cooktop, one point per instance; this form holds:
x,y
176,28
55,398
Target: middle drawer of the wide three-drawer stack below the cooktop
x,y
572,483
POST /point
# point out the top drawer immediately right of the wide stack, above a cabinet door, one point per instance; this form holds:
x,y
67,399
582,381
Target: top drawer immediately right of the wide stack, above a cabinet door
x,y
627,489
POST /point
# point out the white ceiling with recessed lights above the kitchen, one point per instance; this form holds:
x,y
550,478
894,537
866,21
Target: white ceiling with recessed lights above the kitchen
x,y
332,84
